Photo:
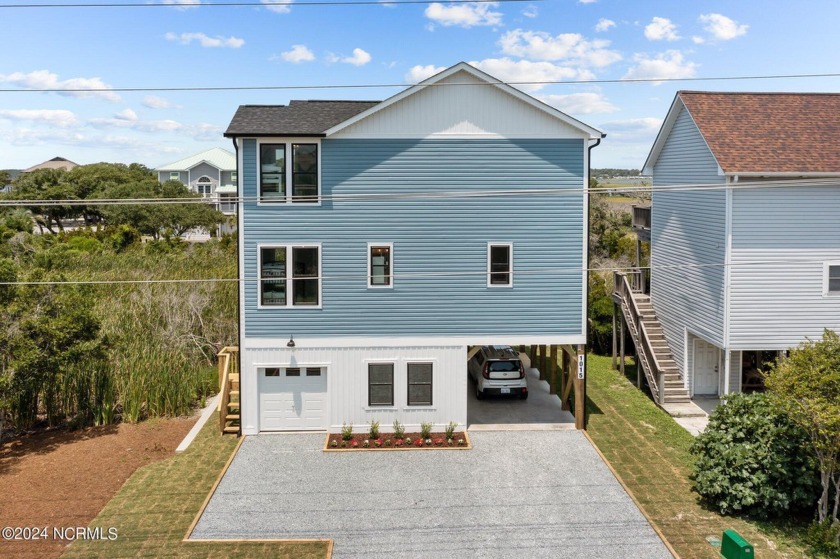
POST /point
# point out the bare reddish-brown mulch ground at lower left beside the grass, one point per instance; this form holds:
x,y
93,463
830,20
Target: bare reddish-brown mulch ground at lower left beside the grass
x,y
62,479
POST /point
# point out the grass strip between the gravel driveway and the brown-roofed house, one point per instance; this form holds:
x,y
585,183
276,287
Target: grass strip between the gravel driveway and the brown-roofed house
x,y
650,453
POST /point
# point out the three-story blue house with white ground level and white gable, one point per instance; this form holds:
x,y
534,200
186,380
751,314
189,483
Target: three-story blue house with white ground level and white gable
x,y
378,240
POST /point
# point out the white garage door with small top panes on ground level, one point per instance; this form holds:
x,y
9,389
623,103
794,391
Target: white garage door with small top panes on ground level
x,y
293,399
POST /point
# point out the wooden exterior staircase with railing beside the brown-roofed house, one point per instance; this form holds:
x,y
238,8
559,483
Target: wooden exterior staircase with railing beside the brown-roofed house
x,y
654,355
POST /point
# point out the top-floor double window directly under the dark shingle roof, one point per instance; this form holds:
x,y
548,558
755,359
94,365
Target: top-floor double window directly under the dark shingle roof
x,y
289,172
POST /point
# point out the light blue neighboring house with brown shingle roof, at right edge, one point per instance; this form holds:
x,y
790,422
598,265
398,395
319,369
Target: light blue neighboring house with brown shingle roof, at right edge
x,y
744,231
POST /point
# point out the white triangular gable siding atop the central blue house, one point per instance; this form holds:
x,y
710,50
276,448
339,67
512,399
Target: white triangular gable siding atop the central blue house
x,y
472,108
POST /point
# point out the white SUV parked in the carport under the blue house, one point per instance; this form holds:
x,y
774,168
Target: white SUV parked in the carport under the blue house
x,y
498,370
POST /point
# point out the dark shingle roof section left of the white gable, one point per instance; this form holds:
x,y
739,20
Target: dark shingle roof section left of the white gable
x,y
298,118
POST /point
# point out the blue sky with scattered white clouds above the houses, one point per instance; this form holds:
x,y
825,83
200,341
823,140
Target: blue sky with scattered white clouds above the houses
x,y
187,44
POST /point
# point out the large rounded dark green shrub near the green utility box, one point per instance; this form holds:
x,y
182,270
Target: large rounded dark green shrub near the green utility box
x,y
750,460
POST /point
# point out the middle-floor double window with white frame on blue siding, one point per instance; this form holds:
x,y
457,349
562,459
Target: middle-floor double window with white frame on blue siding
x,y
290,276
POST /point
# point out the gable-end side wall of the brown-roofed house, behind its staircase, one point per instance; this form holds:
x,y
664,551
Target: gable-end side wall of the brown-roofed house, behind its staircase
x,y
688,241
